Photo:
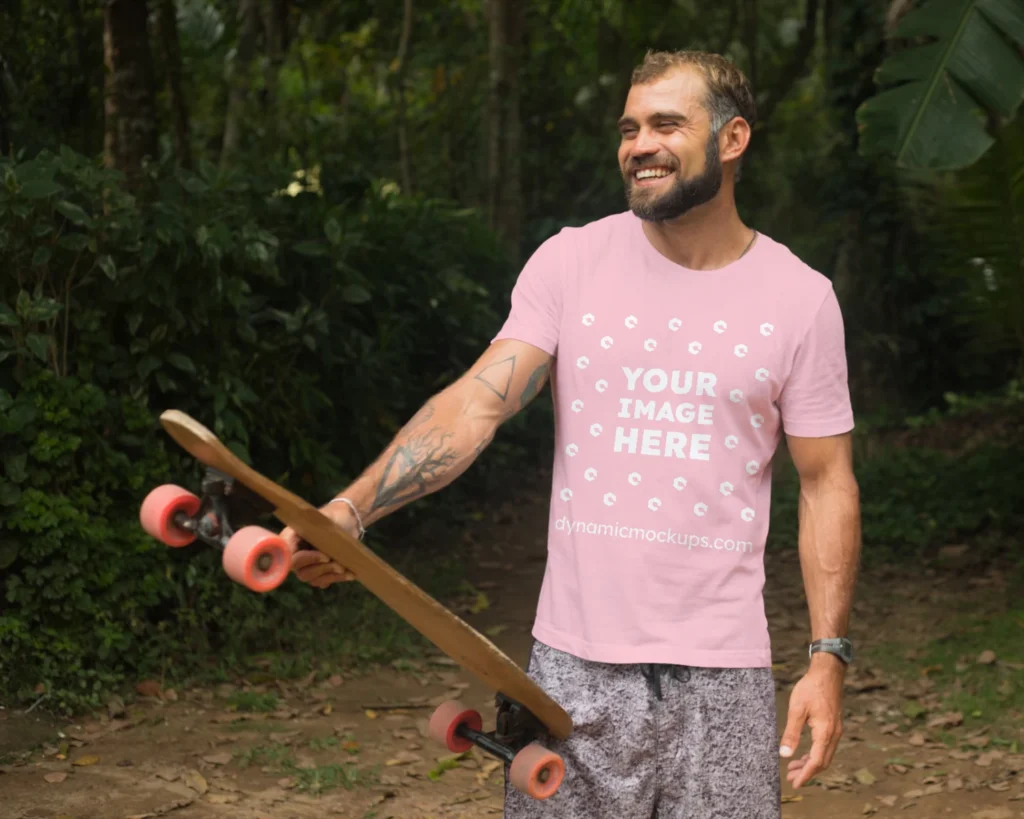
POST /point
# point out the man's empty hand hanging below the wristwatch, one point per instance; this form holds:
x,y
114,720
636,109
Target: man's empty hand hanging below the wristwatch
x,y
818,702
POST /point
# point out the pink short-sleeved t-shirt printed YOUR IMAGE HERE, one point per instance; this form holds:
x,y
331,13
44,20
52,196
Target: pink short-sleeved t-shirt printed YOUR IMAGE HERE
x,y
672,391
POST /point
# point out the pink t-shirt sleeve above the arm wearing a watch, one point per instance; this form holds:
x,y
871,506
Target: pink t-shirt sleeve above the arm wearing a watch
x,y
816,400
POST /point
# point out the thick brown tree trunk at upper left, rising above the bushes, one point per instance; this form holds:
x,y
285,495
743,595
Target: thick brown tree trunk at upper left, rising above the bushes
x,y
131,130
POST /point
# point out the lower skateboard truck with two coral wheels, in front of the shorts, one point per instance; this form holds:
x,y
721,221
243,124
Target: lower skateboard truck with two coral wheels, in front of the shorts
x,y
532,768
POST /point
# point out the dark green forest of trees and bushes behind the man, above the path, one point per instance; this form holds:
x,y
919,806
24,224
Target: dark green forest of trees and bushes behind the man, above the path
x,y
296,220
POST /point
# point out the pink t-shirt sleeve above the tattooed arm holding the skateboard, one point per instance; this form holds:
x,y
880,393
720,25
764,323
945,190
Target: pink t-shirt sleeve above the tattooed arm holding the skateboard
x,y
537,298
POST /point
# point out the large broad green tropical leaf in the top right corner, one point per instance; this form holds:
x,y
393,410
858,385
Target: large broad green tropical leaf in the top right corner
x,y
966,61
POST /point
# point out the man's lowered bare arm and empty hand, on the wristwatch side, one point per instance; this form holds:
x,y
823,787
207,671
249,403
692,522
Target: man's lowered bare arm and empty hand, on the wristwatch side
x,y
830,552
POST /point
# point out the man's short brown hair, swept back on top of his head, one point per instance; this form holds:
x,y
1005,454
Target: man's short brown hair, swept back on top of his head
x,y
730,93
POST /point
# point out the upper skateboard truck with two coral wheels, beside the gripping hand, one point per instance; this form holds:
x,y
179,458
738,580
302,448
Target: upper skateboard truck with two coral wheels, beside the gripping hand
x,y
223,519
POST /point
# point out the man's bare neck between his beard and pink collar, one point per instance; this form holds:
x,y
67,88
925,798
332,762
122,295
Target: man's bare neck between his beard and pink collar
x,y
708,238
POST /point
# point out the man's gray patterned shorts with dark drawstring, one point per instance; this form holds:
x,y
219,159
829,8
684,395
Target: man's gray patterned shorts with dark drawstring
x,y
659,743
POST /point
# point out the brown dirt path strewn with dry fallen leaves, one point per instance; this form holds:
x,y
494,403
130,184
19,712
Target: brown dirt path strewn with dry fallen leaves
x,y
333,748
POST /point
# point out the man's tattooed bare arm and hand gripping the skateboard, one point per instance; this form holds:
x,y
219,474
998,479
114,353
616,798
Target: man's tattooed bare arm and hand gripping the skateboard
x,y
438,445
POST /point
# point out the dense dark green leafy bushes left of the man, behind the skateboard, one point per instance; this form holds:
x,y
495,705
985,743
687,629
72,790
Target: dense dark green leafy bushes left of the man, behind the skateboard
x,y
304,330
